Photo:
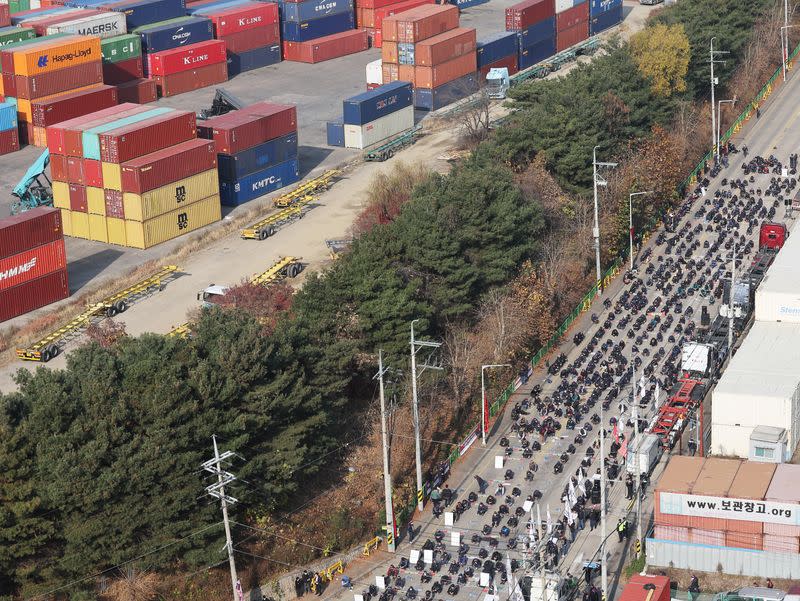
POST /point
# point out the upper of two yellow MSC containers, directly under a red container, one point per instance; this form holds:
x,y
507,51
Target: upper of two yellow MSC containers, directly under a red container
x,y
141,207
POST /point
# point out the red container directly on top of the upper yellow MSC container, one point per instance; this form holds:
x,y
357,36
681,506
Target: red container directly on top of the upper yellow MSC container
x,y
169,165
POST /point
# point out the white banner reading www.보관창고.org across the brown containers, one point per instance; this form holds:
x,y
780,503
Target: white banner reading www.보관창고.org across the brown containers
x,y
730,509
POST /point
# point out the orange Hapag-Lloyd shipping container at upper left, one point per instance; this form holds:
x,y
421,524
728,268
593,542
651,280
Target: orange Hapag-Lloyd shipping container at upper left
x,y
55,55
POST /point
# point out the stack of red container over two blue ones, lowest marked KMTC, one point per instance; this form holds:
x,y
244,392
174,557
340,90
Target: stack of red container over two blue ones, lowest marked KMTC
x,y
256,149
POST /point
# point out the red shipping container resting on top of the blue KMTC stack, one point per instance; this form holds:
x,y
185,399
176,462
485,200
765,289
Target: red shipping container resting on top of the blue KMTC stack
x,y
244,129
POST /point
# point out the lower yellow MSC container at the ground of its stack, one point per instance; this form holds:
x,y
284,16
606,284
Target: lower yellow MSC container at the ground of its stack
x,y
173,224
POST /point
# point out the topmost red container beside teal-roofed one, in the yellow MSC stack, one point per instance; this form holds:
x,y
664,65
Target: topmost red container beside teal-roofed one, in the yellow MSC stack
x,y
148,136
